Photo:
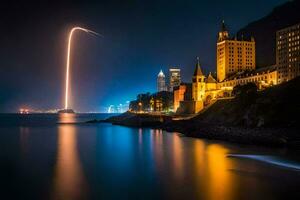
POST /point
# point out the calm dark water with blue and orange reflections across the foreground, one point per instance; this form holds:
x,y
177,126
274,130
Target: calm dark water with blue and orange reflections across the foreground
x,y
41,159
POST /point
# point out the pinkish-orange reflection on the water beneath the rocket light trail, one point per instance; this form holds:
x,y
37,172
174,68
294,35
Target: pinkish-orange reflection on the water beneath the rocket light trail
x,y
69,180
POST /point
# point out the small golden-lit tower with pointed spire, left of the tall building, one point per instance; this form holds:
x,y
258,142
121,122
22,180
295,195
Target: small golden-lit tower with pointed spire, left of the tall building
x,y
198,83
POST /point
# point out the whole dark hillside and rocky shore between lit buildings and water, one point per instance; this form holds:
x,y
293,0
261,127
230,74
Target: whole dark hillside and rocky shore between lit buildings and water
x,y
268,117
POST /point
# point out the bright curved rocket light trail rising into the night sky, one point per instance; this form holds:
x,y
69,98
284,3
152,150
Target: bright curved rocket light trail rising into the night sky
x,y
68,59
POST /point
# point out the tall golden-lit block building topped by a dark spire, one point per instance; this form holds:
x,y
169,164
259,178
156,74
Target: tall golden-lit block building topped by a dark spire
x,y
233,55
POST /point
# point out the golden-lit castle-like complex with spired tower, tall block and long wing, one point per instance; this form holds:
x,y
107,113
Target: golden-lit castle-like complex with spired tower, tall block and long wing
x,y
235,66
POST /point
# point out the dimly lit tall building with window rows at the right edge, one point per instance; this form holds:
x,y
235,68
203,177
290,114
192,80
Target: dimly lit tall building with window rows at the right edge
x,y
288,53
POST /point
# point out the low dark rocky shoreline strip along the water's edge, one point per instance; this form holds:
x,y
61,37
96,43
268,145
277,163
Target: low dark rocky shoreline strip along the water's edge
x,y
273,137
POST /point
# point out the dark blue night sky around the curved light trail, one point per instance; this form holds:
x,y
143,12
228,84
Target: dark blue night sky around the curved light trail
x,y
140,38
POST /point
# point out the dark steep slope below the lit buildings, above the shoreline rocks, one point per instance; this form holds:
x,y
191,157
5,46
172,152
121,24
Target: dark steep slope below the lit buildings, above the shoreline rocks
x,y
278,106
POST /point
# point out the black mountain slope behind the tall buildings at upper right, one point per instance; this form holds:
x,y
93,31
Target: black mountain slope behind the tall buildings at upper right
x,y
264,30
